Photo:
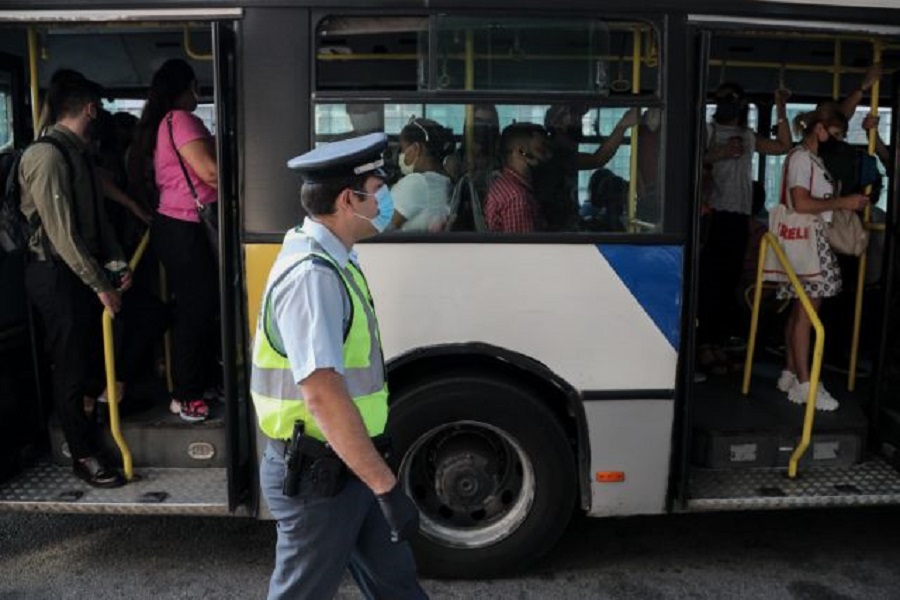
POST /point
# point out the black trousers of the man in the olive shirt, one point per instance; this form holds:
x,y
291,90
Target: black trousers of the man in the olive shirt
x,y
71,313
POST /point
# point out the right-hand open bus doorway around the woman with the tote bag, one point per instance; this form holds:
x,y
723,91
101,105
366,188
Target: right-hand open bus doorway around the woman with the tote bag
x,y
752,441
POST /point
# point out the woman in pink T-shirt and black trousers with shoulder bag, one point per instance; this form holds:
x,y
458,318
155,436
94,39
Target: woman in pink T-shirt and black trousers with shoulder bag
x,y
182,147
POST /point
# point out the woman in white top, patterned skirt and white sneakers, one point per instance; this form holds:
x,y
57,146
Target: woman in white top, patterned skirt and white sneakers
x,y
809,186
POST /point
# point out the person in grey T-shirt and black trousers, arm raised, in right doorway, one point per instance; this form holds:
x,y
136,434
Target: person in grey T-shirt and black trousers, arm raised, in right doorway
x,y
729,154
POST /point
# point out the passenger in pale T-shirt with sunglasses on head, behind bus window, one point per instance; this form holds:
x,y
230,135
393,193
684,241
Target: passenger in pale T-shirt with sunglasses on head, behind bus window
x,y
422,196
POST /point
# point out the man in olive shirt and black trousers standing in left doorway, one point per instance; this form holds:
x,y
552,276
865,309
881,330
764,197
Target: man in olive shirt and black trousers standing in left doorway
x,y
64,278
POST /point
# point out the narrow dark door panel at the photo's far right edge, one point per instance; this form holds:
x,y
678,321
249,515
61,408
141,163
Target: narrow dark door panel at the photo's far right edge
x,y
887,418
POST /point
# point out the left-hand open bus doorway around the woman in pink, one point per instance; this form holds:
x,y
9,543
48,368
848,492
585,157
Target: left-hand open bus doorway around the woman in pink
x,y
178,467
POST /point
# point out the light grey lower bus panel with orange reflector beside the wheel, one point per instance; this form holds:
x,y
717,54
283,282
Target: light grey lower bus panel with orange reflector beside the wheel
x,y
632,437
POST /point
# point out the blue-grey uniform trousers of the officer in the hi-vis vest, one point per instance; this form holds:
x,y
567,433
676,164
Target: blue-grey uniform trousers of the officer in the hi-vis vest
x,y
319,537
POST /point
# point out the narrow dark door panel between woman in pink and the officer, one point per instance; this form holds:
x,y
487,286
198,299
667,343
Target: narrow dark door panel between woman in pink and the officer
x,y
239,431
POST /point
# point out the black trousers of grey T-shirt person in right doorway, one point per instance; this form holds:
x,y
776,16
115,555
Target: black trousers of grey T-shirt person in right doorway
x,y
721,264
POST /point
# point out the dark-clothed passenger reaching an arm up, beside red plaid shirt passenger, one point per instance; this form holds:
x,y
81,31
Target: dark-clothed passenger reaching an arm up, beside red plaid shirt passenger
x,y
556,180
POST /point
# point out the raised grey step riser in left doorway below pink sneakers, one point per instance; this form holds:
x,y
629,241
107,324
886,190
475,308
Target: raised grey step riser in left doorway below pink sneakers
x,y
160,439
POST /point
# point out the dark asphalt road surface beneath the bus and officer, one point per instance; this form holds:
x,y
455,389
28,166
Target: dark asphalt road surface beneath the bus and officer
x,y
809,555
